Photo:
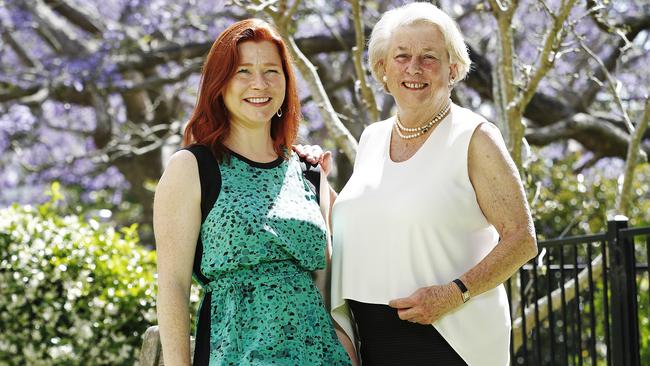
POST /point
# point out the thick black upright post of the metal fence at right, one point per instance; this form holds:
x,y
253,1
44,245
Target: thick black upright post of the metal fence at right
x,y
625,326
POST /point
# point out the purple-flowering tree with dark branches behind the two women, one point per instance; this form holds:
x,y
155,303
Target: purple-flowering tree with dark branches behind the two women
x,y
95,93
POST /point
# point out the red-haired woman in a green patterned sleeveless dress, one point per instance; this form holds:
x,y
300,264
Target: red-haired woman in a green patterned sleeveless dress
x,y
234,210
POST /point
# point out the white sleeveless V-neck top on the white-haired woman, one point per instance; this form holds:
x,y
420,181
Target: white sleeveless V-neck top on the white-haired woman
x,y
401,226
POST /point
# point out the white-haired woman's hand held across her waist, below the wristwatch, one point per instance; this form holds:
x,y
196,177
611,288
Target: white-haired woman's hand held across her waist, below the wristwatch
x,y
428,304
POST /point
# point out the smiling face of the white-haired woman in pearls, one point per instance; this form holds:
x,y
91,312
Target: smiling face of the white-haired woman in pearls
x,y
417,67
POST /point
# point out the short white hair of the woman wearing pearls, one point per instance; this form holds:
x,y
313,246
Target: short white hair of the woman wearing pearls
x,y
408,15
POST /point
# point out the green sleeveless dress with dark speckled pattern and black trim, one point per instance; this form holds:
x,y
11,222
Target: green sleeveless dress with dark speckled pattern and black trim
x,y
261,236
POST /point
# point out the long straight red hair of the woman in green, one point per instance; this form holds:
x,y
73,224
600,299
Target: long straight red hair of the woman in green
x,y
209,124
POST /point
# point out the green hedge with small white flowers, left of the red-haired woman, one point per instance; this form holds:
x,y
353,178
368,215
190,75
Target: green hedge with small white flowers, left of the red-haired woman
x,y
73,291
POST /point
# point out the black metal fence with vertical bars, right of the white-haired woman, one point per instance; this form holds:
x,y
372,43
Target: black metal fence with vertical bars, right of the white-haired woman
x,y
584,300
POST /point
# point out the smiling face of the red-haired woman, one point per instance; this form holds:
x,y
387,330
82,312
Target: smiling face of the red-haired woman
x,y
257,89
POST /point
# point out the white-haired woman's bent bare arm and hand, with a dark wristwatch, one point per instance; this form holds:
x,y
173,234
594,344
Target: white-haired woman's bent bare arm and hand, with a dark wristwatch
x,y
501,197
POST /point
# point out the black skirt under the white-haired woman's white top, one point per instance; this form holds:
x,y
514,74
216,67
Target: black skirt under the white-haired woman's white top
x,y
386,340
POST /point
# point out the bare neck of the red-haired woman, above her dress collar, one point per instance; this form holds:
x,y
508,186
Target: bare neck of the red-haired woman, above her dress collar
x,y
253,143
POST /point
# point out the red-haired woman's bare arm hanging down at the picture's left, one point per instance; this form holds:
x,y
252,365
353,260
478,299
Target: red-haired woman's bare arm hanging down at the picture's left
x,y
177,218
